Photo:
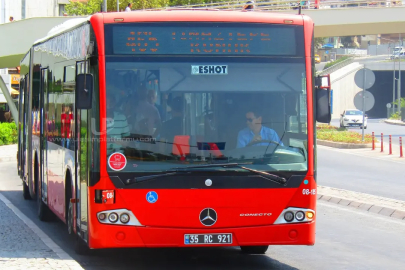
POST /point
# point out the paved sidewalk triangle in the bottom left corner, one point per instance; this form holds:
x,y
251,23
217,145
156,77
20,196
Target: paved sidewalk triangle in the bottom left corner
x,y
24,246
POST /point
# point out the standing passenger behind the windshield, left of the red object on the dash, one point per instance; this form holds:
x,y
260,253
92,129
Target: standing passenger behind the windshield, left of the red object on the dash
x,y
147,115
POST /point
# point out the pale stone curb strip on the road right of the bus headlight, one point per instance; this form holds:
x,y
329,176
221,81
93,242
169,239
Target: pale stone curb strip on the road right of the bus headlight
x,y
385,211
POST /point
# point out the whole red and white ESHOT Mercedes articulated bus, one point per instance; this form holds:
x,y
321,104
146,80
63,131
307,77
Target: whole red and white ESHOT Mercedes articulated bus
x,y
174,128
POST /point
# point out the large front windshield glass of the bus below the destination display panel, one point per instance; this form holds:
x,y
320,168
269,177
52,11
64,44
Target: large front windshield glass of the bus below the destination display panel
x,y
157,124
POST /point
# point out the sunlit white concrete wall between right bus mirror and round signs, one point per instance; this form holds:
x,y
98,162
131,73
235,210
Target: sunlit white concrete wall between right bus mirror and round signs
x,y
344,88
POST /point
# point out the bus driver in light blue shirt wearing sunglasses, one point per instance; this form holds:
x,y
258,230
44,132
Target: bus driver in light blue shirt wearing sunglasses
x,y
256,132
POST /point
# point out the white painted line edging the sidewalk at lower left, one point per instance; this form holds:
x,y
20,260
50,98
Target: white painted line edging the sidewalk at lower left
x,y
69,261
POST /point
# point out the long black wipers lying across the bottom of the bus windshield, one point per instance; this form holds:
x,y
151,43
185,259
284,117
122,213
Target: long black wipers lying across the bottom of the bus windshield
x,y
173,171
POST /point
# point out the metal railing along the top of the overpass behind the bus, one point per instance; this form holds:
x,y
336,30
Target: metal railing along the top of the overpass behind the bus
x,y
292,5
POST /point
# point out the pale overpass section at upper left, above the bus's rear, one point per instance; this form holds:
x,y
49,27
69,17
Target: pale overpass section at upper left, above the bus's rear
x,y
21,35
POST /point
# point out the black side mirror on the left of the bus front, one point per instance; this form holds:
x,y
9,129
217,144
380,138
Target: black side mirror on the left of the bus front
x,y
84,89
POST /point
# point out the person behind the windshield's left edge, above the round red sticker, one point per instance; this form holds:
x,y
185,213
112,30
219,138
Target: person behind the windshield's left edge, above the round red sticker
x,y
117,126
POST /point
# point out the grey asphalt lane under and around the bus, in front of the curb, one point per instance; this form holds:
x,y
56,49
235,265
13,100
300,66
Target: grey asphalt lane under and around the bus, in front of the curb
x,y
346,238
